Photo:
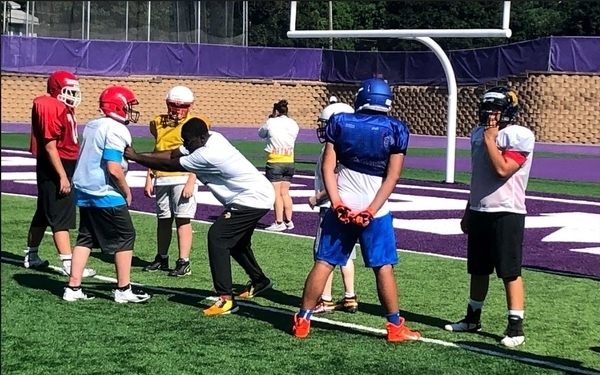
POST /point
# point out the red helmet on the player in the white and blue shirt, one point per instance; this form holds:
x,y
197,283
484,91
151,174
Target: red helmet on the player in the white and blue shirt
x,y
117,103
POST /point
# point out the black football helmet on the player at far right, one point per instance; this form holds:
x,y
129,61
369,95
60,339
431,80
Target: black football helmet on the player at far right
x,y
501,99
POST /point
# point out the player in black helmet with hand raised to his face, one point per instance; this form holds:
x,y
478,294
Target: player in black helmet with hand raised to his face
x,y
494,220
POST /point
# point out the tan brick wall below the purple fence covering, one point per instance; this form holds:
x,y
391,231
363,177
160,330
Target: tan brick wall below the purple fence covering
x,y
558,108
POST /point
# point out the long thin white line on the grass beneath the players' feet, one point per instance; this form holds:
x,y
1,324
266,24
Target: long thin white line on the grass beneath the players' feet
x,y
357,327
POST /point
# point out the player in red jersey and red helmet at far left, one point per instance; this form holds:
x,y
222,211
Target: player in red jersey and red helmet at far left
x,y
55,145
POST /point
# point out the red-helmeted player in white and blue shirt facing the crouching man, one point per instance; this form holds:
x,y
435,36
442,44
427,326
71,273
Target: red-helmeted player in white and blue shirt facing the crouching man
x,y
103,196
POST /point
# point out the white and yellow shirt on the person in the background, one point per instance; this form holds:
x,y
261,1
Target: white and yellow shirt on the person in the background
x,y
280,135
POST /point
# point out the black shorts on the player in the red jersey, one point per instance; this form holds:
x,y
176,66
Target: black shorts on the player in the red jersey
x,y
53,209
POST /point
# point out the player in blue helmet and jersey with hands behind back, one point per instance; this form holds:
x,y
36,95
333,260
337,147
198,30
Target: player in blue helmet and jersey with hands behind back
x,y
368,147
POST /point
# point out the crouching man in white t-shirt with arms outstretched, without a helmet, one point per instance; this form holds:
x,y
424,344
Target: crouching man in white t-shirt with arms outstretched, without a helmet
x,y
245,192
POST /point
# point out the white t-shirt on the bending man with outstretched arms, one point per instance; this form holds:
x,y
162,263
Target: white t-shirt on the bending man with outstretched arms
x,y
228,174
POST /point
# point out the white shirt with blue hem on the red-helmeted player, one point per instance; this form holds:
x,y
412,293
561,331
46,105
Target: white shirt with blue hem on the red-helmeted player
x,y
104,140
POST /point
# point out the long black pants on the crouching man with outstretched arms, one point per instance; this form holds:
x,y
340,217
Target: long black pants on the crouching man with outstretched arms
x,y
231,235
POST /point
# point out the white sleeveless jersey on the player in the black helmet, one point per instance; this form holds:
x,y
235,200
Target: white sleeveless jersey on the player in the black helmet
x,y
490,192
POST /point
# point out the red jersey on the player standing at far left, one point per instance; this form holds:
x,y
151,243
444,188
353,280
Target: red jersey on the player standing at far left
x,y
51,119
